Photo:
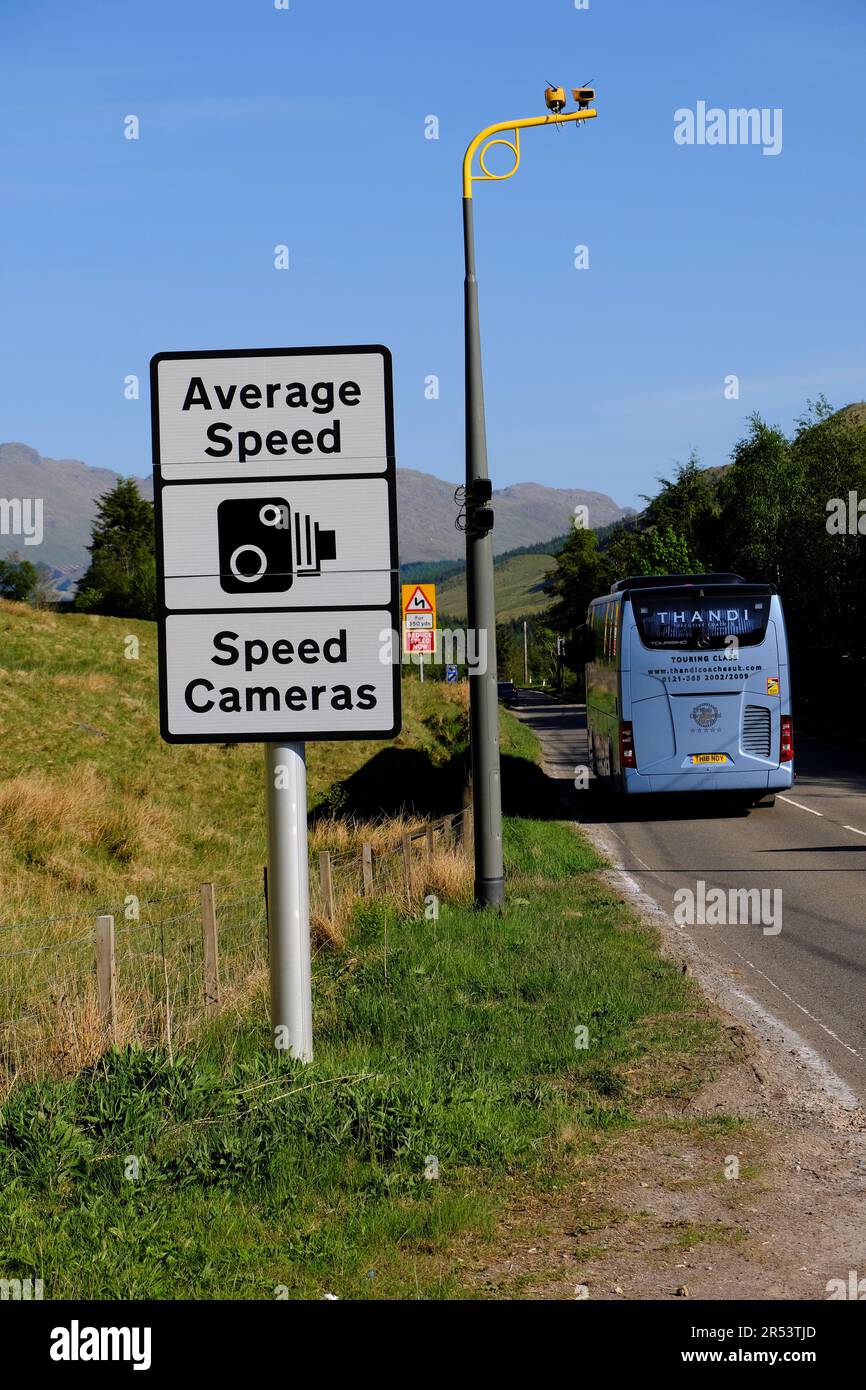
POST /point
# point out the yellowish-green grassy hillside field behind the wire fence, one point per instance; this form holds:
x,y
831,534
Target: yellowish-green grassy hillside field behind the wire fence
x,y
95,807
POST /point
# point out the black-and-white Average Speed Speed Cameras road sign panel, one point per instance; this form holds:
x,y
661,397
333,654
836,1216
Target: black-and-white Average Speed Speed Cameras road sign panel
x,y
277,548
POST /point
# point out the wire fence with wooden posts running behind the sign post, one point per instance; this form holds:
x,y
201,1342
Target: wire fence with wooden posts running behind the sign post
x,y
152,971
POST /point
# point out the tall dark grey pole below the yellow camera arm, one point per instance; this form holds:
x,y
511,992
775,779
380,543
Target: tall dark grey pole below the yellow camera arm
x,y
482,614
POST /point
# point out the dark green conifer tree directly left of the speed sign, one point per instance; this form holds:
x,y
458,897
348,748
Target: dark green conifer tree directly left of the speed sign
x,y
122,576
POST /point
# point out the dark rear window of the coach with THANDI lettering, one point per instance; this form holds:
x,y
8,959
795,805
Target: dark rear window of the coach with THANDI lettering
x,y
700,622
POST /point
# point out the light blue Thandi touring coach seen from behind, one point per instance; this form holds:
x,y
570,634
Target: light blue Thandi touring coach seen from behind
x,y
689,687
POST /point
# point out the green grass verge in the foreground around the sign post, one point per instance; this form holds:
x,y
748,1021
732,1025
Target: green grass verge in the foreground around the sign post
x,y
452,1039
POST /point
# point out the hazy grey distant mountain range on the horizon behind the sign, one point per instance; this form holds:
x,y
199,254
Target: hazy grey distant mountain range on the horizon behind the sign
x,y
526,514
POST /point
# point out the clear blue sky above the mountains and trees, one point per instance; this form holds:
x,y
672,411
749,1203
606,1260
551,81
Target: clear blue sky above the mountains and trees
x,y
307,127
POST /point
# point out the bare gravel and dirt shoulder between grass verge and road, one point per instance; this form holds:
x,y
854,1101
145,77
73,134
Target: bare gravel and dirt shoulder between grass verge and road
x,y
754,1188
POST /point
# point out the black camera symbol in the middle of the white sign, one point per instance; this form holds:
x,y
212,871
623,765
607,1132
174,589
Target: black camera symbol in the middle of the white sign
x,y
265,546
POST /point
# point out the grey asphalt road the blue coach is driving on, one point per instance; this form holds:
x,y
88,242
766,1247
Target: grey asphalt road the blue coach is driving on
x,y
811,846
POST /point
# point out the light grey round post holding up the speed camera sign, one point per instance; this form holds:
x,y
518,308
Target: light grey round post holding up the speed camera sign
x,y
290,900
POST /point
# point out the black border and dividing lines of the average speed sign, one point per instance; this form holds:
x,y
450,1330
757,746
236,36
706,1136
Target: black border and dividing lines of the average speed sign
x,y
394,608
